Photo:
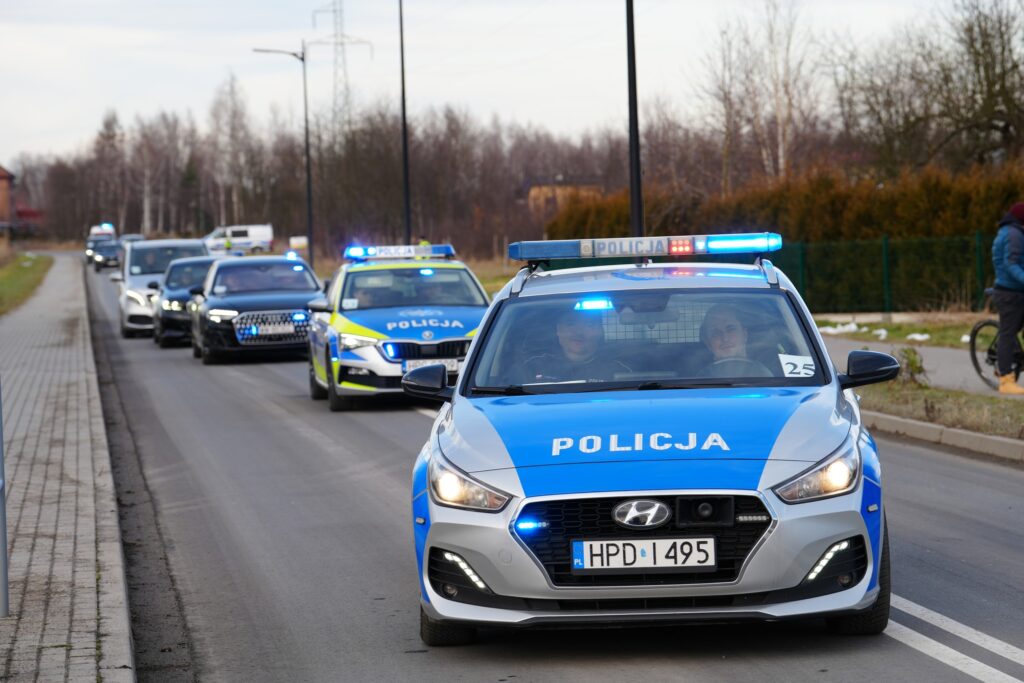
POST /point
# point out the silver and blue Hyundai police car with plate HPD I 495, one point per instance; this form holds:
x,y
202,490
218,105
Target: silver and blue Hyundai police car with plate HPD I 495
x,y
650,443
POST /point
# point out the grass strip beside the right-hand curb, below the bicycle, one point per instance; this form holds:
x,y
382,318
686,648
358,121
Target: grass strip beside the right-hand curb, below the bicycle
x,y
988,415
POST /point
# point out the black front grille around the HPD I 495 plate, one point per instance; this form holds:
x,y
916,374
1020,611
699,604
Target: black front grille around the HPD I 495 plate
x,y
590,520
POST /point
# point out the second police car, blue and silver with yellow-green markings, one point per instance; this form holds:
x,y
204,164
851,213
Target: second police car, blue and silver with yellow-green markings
x,y
391,310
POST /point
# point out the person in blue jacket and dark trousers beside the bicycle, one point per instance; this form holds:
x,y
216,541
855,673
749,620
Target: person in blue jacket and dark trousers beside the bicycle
x,y
1008,258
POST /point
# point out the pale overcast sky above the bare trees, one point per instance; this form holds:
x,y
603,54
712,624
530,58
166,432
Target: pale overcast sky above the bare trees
x,y
558,64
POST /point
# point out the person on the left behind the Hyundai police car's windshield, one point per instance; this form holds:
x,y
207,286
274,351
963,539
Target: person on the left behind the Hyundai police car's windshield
x,y
579,358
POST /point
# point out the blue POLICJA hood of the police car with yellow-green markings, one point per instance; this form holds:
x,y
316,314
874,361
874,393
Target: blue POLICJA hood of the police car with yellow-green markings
x,y
432,323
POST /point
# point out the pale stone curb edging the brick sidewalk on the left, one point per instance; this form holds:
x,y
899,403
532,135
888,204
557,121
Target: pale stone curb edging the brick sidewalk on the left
x,y
116,657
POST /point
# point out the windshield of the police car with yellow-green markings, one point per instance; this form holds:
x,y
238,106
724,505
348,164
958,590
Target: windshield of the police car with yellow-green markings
x,y
411,287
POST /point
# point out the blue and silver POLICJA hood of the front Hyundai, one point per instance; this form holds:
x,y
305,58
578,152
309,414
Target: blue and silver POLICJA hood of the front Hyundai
x,y
631,441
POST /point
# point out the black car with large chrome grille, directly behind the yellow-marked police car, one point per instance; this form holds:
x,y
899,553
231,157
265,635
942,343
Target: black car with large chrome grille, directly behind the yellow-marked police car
x,y
257,304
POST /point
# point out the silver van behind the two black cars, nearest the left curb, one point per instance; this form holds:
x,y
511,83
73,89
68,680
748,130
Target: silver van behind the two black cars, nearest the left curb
x,y
142,275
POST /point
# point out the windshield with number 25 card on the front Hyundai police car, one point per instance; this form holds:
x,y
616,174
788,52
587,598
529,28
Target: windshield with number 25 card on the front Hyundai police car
x,y
647,339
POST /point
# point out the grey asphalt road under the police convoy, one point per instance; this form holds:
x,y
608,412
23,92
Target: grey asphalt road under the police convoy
x,y
288,532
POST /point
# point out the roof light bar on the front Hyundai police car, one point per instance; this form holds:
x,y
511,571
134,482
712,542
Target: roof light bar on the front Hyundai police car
x,y
742,243
